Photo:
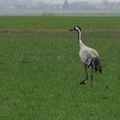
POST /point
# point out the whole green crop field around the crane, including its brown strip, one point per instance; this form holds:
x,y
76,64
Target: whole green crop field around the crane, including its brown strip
x,y
40,69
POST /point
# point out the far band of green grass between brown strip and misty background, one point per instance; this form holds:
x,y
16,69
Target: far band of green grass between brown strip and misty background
x,y
47,22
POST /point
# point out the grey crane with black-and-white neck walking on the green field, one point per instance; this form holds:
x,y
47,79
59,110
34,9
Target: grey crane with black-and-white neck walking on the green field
x,y
89,57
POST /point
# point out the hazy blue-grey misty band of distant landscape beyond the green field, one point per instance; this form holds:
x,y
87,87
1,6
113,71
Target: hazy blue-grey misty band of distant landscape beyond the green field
x,y
59,7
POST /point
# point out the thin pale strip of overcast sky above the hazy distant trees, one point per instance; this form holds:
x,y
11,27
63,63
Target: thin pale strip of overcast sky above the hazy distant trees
x,y
61,1
